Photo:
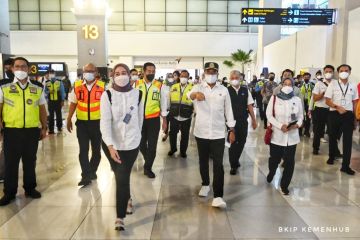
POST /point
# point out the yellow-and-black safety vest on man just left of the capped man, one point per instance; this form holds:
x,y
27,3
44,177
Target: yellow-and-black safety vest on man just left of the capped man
x,y
180,105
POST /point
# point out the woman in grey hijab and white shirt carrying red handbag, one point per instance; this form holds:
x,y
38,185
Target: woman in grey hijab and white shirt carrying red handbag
x,y
285,113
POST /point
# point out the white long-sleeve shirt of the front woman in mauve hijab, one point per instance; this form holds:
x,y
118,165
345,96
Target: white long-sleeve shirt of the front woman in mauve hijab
x,y
123,136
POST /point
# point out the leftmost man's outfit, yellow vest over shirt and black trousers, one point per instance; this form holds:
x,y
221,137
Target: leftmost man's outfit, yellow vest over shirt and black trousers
x,y
21,119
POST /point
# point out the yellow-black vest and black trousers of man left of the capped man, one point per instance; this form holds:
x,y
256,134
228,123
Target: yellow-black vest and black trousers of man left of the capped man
x,y
181,109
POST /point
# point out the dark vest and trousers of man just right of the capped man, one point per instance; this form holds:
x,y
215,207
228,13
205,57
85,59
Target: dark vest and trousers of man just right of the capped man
x,y
239,102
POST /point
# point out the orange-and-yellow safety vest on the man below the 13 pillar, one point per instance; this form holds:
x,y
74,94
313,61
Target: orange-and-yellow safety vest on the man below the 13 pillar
x,y
88,106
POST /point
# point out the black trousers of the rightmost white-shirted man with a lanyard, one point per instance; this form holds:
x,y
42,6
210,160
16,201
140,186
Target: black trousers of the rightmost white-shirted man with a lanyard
x,y
345,122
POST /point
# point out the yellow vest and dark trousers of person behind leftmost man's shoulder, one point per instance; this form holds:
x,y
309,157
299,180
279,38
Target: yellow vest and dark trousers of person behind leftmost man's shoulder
x,y
56,95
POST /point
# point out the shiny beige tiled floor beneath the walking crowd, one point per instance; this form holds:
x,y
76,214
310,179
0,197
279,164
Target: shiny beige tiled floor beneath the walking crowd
x,y
168,207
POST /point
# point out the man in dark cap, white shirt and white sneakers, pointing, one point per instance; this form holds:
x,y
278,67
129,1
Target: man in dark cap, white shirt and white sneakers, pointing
x,y
213,109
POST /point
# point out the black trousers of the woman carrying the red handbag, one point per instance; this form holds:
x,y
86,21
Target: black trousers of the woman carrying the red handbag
x,y
288,155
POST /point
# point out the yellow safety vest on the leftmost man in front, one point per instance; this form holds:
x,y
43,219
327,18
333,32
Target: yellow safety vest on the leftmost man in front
x,y
21,106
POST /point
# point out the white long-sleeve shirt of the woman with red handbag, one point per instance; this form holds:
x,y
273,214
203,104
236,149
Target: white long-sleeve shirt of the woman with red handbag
x,y
283,111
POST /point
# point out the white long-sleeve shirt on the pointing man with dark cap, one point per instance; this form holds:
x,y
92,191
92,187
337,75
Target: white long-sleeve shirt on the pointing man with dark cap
x,y
213,112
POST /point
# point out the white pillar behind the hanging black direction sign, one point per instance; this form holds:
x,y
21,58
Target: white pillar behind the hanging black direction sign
x,y
267,34
